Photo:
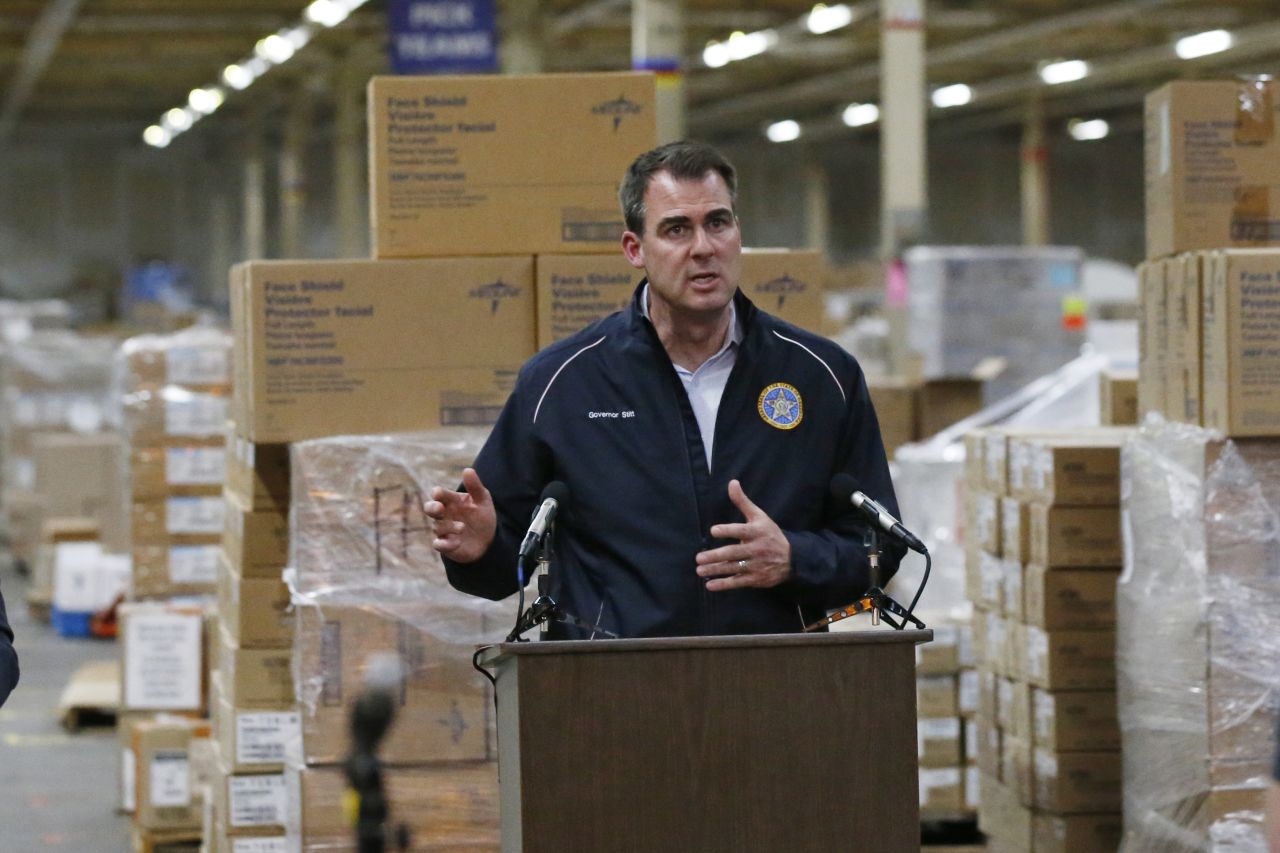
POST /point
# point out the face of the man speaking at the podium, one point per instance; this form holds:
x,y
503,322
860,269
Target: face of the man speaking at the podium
x,y
692,247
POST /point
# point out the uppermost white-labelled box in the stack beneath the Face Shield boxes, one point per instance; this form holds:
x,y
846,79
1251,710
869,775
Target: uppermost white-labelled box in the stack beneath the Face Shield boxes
x,y
254,740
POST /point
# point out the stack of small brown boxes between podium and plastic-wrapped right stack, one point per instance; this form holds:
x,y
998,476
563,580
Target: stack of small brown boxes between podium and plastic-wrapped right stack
x,y
1043,562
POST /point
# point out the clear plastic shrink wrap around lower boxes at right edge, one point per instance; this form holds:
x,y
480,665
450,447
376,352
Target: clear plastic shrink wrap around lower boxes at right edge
x,y
1199,637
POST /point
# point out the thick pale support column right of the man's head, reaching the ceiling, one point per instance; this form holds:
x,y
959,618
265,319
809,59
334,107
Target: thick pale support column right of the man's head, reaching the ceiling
x,y
904,153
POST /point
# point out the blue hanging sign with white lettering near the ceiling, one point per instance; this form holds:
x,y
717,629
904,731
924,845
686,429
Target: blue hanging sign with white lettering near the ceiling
x,y
444,37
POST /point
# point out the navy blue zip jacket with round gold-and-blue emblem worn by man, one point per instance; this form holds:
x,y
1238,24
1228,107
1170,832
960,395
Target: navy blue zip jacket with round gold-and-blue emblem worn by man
x,y
605,412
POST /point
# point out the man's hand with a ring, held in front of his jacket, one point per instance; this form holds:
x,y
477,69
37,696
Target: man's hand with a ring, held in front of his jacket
x,y
761,559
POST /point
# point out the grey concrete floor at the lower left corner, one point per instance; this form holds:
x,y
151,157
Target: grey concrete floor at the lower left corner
x,y
58,791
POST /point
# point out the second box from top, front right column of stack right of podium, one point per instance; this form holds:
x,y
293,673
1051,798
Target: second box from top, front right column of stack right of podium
x,y
1076,536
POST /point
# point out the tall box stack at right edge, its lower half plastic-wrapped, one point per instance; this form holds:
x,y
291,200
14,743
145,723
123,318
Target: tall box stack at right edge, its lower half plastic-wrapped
x,y
1200,592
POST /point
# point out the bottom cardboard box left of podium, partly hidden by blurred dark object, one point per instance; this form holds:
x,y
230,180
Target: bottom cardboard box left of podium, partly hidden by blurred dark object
x,y
447,808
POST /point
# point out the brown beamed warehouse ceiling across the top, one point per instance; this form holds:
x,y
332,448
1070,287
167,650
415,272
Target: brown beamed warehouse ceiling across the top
x,y
113,67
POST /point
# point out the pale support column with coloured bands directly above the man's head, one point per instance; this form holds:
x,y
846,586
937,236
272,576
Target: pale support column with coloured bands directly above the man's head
x,y
659,45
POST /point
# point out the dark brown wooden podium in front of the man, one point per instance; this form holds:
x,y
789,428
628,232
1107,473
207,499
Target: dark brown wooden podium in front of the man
x,y
775,743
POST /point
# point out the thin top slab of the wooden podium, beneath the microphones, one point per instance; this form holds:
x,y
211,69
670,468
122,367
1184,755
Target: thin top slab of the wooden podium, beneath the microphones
x,y
684,644
